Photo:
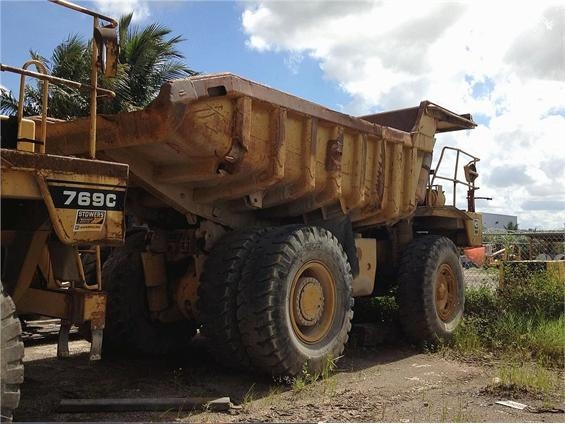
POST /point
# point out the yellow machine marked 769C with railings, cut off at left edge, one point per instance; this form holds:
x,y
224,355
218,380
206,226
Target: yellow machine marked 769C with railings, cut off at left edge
x,y
54,209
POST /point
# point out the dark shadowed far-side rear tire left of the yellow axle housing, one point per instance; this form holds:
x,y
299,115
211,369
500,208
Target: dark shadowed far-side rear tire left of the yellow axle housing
x,y
129,326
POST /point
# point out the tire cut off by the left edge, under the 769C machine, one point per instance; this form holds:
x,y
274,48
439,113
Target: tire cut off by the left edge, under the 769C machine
x,y
12,357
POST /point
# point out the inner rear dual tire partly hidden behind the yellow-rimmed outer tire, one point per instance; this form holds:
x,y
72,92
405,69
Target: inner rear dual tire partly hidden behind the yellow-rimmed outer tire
x,y
218,295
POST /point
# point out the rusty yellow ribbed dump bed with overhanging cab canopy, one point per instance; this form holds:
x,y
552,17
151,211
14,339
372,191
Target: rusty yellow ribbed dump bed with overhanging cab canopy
x,y
234,151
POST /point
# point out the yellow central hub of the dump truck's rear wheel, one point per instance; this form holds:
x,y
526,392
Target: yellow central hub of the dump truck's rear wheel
x,y
309,303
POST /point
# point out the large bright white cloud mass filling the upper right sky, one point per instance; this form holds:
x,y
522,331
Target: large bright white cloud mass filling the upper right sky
x,y
503,62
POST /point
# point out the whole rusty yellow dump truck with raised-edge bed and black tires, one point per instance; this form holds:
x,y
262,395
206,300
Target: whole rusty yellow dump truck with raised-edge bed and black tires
x,y
257,217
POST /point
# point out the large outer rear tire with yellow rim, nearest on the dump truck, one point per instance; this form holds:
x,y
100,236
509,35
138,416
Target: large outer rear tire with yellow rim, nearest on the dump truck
x,y
295,304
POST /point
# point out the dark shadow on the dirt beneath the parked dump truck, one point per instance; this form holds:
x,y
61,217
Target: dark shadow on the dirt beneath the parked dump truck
x,y
192,373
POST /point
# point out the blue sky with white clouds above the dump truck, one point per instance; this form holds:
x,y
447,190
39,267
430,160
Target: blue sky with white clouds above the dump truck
x,y
501,61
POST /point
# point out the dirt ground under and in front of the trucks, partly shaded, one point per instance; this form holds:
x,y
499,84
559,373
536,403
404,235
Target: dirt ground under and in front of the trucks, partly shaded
x,y
388,382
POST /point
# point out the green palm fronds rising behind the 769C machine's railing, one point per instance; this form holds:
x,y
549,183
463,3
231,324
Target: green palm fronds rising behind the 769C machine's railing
x,y
147,59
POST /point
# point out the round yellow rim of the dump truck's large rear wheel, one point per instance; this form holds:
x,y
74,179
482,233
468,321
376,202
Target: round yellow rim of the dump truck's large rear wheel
x,y
312,302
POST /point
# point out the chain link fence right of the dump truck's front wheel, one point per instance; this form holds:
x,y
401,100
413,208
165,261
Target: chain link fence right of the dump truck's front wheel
x,y
514,254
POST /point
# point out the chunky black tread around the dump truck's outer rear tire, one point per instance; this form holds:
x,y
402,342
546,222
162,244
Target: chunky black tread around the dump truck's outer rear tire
x,y
260,313
